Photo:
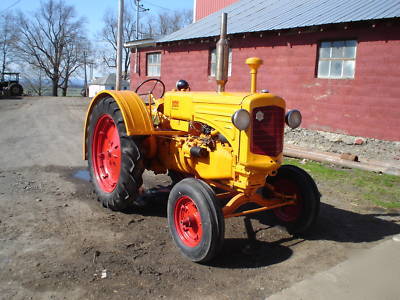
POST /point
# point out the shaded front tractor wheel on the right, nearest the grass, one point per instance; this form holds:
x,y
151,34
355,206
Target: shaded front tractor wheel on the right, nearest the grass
x,y
301,217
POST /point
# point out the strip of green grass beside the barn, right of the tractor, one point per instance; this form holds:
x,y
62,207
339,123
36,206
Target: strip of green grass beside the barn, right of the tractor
x,y
371,188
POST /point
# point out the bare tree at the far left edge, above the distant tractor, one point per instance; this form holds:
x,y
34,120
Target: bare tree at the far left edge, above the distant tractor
x,y
8,37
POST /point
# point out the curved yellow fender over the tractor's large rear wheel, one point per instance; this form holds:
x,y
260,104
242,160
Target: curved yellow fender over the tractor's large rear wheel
x,y
134,112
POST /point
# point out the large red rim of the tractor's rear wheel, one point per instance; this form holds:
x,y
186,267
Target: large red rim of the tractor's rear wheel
x,y
106,150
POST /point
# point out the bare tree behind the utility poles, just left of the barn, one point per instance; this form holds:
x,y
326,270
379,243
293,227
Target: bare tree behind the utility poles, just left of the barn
x,y
109,34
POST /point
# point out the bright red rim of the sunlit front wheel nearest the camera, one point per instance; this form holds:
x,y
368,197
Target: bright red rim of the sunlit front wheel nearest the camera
x,y
188,221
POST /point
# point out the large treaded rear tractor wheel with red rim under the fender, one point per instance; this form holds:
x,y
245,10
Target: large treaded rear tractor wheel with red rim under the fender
x,y
115,161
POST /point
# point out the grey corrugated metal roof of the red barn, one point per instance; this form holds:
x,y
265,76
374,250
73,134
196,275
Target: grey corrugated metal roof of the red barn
x,y
264,15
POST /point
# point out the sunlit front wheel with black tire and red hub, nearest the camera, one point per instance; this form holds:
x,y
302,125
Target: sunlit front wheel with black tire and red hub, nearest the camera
x,y
195,220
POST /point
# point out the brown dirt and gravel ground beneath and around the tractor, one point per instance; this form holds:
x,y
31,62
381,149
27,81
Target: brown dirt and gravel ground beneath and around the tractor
x,y
57,242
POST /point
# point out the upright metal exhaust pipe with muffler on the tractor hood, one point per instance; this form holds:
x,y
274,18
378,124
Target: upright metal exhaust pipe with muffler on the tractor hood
x,y
221,75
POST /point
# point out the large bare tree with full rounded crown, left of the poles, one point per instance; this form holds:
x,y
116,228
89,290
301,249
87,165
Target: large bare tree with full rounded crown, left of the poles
x,y
46,36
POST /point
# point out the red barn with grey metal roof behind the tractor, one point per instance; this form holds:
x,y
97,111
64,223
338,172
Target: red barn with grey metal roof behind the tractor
x,y
336,61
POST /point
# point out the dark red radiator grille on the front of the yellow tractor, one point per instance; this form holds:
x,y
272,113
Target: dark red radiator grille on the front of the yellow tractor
x,y
267,130
